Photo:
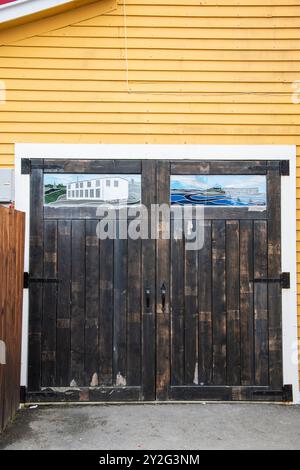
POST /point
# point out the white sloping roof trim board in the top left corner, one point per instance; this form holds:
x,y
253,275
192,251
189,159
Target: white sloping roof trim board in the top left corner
x,y
20,8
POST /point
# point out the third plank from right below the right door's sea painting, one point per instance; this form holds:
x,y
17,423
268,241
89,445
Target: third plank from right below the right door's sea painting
x,y
233,303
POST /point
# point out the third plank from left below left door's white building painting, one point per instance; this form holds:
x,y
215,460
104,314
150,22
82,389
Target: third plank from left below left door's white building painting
x,y
78,302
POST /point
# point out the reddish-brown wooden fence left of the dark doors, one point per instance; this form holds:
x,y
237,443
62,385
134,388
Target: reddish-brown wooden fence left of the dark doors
x,y
12,228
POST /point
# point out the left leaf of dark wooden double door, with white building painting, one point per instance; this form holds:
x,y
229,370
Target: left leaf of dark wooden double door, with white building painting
x,y
92,333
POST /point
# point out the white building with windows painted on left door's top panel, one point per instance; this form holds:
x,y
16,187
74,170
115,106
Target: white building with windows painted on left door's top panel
x,y
112,188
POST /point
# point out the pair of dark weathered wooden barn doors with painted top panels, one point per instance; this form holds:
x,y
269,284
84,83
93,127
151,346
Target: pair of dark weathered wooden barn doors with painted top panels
x,y
144,318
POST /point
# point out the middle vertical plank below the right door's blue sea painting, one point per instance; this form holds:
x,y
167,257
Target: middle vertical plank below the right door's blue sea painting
x,y
219,302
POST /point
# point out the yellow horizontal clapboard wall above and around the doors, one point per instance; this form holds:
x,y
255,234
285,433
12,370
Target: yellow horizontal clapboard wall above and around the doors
x,y
219,72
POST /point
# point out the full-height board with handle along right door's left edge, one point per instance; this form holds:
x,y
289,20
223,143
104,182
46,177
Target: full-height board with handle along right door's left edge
x,y
163,277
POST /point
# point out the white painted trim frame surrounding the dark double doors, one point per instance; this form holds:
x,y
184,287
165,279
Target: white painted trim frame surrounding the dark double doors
x,y
192,152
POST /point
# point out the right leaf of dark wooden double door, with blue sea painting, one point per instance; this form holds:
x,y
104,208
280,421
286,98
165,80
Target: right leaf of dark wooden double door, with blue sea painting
x,y
220,334
